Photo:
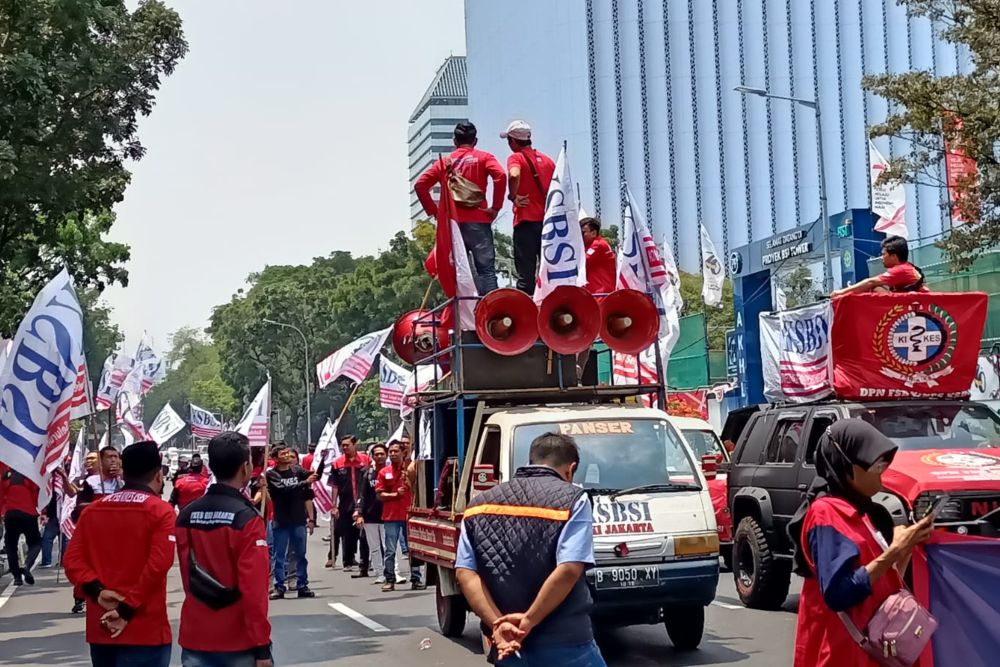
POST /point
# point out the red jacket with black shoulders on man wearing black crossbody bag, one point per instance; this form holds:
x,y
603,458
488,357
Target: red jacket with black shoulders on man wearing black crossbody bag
x,y
231,545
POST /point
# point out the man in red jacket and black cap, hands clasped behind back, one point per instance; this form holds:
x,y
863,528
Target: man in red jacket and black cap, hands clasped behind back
x,y
119,557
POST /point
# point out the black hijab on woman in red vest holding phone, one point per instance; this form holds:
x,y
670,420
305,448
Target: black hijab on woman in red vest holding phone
x,y
847,443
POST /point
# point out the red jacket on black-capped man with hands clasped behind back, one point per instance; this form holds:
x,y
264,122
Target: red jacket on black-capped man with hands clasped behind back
x,y
125,543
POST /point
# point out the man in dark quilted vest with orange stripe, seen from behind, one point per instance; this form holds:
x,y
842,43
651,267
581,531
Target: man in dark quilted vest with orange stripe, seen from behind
x,y
524,547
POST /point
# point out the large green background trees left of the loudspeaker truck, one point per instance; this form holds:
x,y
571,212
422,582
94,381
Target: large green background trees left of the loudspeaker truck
x,y
333,301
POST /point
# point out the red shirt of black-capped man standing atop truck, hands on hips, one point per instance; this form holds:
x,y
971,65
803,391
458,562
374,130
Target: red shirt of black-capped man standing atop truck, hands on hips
x,y
475,165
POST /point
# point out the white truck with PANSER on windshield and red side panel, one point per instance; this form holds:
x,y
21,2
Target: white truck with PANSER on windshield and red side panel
x,y
655,536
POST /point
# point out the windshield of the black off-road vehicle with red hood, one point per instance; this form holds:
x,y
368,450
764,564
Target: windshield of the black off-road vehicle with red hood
x,y
929,426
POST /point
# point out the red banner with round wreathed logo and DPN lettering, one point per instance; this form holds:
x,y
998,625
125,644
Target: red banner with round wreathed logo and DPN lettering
x,y
915,345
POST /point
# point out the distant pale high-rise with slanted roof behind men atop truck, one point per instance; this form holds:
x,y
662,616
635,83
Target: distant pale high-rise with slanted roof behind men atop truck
x,y
444,105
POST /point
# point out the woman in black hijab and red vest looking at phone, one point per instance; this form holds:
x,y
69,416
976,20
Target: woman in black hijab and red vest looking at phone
x,y
841,548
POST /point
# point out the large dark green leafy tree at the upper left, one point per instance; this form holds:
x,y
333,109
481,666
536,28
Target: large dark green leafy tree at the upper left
x,y
74,79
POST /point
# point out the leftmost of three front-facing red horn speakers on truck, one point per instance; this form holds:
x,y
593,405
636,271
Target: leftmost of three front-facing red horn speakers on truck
x,y
506,321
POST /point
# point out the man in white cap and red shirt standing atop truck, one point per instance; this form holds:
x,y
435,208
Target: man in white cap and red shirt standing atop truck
x,y
530,174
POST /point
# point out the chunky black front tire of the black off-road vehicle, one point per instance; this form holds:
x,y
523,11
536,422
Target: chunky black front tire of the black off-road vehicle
x,y
762,581
